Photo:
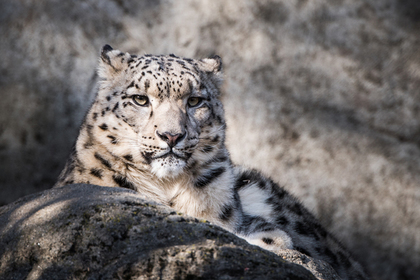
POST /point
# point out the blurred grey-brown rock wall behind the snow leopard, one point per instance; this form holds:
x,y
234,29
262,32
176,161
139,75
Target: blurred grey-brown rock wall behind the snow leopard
x,y
323,96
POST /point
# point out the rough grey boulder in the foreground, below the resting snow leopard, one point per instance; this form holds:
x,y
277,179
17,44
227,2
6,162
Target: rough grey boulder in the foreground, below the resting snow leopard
x,y
91,232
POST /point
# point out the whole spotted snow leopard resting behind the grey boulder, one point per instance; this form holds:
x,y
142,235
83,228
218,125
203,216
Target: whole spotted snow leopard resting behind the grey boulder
x,y
157,126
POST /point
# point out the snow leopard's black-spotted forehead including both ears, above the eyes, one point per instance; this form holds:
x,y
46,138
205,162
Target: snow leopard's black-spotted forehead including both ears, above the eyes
x,y
163,76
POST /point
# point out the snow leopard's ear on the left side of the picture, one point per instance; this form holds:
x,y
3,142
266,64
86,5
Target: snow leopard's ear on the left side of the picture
x,y
111,62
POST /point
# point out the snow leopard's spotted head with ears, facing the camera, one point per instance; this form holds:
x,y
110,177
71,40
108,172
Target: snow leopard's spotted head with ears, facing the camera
x,y
158,113
